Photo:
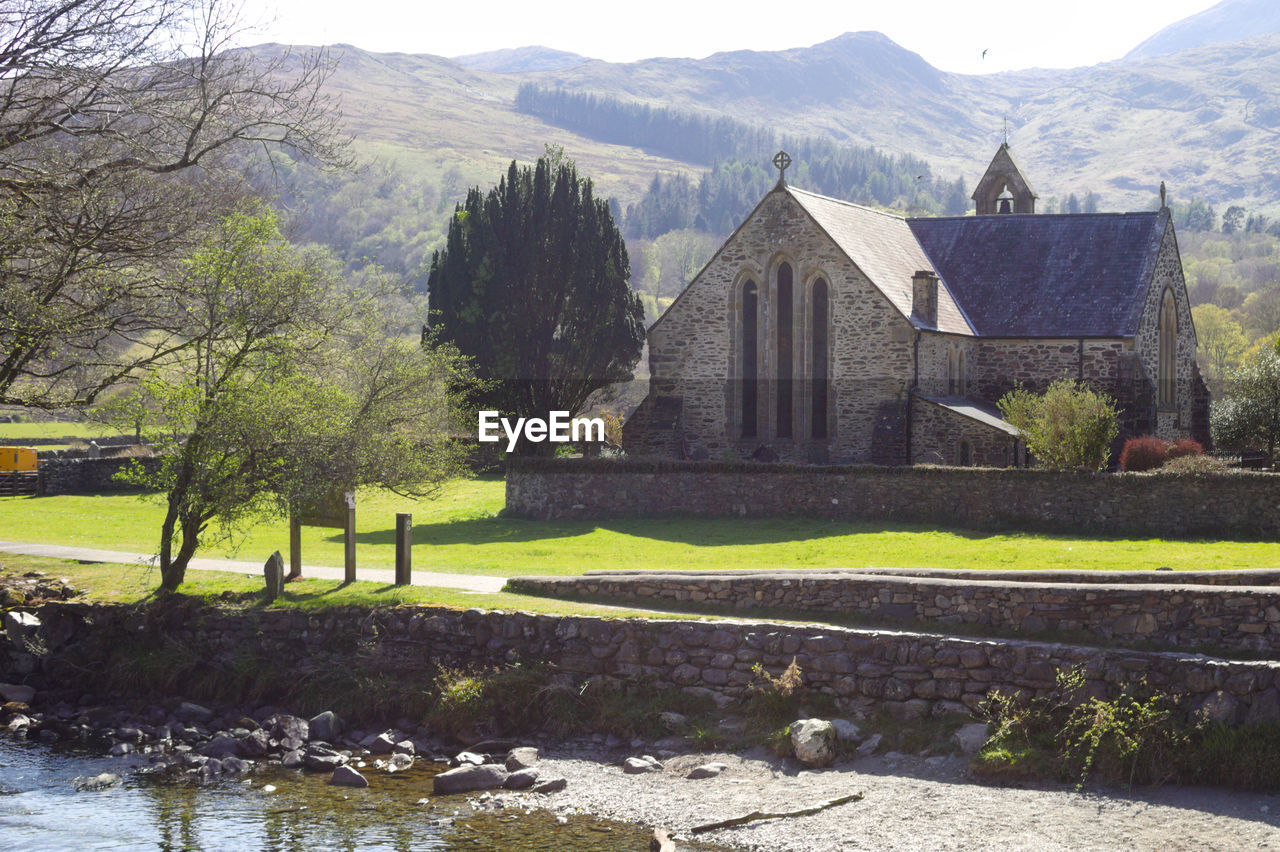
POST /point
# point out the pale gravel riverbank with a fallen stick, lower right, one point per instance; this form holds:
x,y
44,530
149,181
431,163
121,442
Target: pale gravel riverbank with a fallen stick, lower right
x,y
912,804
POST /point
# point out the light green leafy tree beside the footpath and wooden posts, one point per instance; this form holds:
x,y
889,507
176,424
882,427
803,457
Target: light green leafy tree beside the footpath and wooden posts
x,y
289,391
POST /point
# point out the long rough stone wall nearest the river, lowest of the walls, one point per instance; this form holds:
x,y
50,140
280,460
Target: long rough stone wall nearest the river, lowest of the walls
x,y
911,675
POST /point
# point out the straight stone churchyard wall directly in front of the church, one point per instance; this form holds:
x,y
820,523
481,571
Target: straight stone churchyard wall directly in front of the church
x,y
1227,506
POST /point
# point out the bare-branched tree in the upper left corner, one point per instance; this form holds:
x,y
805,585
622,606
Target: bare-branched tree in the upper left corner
x,y
125,126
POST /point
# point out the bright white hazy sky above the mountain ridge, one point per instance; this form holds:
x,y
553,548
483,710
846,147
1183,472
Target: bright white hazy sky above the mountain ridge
x,y
949,34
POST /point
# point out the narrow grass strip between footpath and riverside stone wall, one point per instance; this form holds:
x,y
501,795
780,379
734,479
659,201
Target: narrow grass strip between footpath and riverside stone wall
x,y
132,585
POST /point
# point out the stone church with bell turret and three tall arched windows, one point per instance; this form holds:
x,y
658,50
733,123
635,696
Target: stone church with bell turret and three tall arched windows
x,y
830,333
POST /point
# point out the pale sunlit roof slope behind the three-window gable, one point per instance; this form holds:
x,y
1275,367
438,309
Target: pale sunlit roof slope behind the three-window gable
x,y
884,249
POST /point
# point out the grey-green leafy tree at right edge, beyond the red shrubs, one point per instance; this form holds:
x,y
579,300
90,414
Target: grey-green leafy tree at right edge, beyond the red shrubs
x,y
1250,416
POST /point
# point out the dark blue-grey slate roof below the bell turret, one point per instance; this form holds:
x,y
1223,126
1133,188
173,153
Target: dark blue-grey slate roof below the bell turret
x,y
1046,277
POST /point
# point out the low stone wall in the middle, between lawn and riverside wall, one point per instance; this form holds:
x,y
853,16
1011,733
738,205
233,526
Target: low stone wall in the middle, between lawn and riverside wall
x,y
1177,616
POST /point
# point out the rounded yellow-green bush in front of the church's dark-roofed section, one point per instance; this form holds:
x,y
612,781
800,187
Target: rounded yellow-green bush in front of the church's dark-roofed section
x,y
1068,428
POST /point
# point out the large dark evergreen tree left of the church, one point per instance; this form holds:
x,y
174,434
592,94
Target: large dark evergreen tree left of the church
x,y
533,287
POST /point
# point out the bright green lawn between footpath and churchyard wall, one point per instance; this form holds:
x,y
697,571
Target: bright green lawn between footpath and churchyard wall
x,y
461,533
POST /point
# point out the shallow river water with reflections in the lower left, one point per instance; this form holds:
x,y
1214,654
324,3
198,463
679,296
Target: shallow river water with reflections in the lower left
x,y
42,809
